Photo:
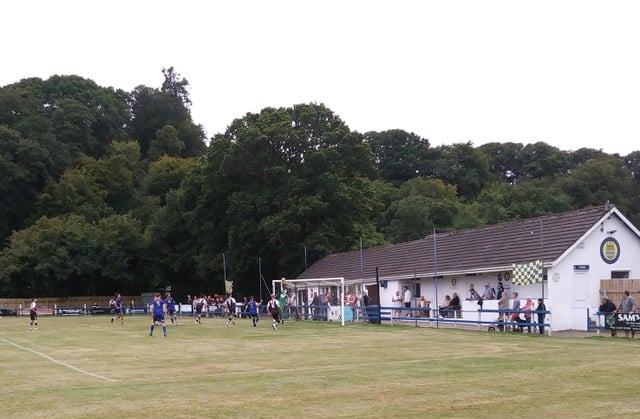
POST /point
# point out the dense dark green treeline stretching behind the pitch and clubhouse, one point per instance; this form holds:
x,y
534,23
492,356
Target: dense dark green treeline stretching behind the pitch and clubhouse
x,y
106,190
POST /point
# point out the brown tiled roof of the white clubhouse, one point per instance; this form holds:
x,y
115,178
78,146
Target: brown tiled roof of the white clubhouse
x,y
485,249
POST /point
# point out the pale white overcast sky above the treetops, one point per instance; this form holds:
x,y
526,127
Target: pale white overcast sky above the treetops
x,y
563,72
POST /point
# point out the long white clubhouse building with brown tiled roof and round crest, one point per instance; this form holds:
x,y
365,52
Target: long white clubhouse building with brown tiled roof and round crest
x,y
585,254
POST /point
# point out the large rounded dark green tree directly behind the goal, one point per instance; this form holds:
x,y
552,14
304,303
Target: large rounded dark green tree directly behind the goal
x,y
282,180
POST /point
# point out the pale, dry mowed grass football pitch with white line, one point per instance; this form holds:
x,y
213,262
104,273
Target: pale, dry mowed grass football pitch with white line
x,y
78,367
